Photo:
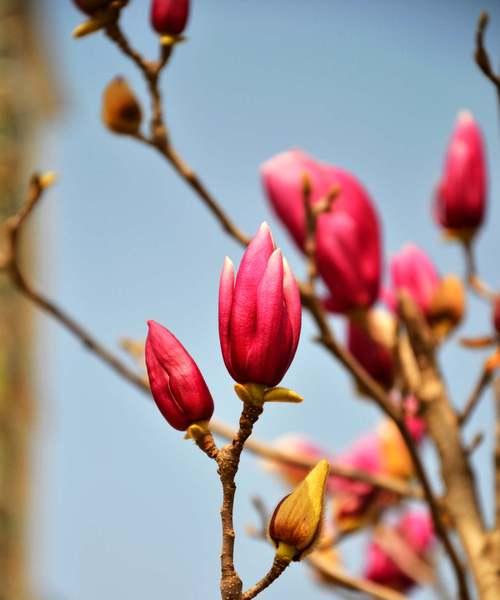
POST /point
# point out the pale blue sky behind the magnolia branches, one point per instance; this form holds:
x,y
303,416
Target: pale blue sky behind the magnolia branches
x,y
120,505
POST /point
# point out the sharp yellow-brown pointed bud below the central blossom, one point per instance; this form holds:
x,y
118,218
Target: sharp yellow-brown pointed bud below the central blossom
x,y
296,522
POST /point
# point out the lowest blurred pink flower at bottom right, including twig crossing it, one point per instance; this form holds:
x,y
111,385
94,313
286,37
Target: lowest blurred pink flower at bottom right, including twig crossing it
x,y
395,563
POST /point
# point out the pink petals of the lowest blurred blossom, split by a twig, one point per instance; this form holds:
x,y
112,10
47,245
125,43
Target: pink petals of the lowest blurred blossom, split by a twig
x,y
415,531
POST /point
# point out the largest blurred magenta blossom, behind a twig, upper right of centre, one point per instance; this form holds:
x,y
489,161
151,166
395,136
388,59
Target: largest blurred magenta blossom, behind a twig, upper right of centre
x,y
348,238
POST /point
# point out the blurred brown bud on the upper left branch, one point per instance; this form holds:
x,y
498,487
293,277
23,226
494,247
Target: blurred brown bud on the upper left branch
x,y
121,111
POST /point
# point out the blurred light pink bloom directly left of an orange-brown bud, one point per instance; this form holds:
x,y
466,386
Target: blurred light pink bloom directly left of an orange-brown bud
x,y
413,272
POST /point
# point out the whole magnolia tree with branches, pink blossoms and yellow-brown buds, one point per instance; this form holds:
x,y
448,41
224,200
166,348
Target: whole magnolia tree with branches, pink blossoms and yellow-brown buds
x,y
393,336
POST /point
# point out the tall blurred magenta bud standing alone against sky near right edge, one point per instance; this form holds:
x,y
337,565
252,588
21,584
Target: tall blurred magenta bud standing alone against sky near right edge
x,y
460,199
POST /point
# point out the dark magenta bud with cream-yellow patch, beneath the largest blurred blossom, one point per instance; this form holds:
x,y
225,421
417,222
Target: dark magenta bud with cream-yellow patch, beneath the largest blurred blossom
x,y
372,344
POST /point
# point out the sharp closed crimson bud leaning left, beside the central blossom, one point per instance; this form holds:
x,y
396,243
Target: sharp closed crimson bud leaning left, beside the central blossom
x,y
178,387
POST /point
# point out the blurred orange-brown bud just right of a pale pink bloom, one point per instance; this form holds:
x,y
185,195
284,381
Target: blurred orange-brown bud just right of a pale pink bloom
x,y
447,306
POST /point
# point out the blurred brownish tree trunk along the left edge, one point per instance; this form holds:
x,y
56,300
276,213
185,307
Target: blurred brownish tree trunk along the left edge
x,y
26,98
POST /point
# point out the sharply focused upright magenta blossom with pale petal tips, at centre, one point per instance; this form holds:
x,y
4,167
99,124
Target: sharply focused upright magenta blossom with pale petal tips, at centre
x,y
259,313
